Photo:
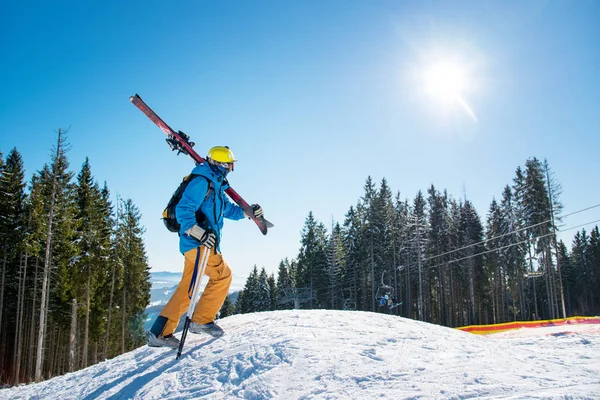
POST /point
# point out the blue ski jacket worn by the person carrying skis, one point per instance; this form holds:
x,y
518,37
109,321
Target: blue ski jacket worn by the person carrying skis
x,y
215,207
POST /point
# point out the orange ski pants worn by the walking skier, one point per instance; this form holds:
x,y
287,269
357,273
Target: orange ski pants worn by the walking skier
x,y
212,297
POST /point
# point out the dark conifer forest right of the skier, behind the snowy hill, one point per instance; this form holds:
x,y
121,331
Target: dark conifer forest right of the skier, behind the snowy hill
x,y
440,260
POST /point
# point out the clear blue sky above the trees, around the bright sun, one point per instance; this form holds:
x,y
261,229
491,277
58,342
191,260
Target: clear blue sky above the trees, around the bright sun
x,y
312,96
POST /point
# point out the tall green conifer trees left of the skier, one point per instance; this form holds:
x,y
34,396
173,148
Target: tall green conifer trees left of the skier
x,y
74,280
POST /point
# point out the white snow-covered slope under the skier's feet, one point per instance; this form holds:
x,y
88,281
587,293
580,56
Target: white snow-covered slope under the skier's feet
x,y
344,355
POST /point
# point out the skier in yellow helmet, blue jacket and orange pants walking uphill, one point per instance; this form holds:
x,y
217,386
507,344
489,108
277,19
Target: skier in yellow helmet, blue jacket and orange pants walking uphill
x,y
200,213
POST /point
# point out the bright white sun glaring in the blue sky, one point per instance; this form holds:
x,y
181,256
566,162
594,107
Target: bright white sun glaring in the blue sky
x,y
446,81
